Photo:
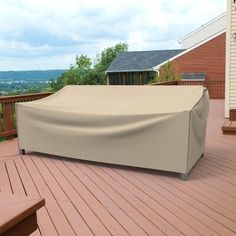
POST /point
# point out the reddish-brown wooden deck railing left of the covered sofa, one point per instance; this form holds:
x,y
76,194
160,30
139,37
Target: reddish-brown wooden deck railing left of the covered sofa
x,y
7,111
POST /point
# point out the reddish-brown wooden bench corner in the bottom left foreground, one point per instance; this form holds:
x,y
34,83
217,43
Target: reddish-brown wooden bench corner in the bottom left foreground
x,y
18,214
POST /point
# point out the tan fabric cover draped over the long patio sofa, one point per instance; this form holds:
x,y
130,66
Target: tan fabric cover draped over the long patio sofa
x,y
157,127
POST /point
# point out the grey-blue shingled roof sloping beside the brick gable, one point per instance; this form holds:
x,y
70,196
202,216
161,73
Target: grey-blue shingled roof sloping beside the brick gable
x,y
140,60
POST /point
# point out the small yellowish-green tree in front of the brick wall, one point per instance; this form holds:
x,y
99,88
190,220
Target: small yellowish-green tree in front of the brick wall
x,y
167,72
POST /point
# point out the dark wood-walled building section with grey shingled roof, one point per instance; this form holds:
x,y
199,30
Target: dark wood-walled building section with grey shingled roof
x,y
137,68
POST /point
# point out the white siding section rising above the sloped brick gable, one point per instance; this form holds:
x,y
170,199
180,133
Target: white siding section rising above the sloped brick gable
x,y
209,30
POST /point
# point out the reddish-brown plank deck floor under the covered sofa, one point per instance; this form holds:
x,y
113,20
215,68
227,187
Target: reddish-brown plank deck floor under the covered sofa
x,y
94,199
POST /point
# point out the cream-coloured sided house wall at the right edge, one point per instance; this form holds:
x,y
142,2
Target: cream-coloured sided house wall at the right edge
x,y
230,99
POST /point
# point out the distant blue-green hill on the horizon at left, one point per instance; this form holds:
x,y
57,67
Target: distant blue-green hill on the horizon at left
x,y
21,81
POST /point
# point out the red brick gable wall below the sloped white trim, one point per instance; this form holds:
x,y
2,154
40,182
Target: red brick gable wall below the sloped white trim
x,y
208,58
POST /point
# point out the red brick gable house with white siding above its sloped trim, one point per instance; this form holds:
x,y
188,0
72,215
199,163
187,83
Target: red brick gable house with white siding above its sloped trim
x,y
203,61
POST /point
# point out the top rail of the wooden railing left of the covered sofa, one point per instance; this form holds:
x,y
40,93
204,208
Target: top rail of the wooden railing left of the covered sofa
x,y
23,97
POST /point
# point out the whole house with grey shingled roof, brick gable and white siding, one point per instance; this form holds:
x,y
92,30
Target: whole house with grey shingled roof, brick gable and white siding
x,y
201,61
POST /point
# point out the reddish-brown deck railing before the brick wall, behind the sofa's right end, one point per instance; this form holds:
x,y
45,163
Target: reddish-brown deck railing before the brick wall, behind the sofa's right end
x,y
216,88
